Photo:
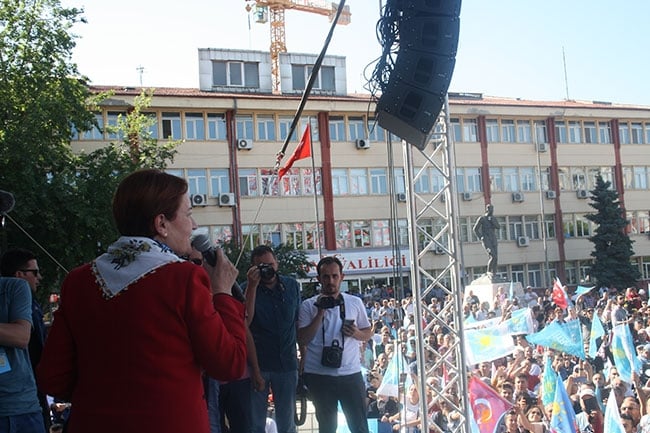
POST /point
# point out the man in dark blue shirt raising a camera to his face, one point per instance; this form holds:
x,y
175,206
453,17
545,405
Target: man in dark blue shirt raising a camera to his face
x,y
272,304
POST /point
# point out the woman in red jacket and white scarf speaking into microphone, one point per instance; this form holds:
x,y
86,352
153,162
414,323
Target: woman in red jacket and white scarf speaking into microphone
x,y
137,326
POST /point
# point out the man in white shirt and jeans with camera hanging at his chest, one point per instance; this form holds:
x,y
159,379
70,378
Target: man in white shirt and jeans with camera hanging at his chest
x,y
331,326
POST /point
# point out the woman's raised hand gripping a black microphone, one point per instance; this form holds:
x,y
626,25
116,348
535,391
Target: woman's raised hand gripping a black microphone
x,y
223,277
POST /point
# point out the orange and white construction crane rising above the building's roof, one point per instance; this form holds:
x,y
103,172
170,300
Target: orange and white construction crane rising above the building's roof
x,y
275,9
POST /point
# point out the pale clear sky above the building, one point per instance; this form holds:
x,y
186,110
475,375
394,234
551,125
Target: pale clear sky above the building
x,y
510,48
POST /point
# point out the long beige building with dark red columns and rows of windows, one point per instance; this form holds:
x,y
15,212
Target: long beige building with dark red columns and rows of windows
x,y
535,161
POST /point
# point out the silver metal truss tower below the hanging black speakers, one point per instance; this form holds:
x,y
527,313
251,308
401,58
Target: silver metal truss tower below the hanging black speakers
x,y
441,239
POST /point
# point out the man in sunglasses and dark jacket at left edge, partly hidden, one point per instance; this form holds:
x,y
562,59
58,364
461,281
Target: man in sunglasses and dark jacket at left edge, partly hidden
x,y
22,263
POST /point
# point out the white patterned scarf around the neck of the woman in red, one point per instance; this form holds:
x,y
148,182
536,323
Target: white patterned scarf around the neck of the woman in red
x,y
127,260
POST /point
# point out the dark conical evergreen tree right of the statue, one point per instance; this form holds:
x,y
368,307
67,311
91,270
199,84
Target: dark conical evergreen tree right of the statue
x,y
612,246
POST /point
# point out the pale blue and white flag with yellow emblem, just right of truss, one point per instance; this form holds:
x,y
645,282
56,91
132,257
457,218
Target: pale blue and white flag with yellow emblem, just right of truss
x,y
484,345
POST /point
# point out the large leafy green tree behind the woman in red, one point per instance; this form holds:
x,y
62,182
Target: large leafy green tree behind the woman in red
x,y
63,199
